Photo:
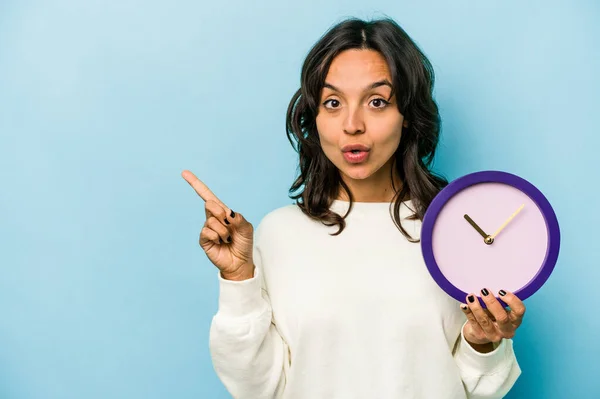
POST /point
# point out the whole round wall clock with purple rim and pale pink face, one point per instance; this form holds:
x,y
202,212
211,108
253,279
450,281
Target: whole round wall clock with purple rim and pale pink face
x,y
490,230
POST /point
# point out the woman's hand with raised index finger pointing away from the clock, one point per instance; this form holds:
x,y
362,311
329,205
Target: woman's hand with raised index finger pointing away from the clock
x,y
226,237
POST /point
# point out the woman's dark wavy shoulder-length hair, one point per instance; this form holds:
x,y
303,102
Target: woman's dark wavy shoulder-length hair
x,y
413,80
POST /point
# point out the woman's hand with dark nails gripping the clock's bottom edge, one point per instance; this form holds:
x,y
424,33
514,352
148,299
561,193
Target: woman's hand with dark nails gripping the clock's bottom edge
x,y
494,323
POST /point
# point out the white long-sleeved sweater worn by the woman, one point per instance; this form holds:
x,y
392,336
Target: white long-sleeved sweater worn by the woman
x,y
353,316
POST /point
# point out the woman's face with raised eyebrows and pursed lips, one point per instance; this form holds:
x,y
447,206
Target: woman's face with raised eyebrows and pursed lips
x,y
356,108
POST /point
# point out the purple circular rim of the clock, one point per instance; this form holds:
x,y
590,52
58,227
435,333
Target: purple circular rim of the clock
x,y
491,176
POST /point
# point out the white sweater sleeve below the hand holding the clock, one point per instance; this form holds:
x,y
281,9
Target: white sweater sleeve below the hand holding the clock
x,y
486,375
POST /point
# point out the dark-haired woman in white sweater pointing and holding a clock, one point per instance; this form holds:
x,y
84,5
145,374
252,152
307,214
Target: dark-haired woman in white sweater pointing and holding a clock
x,y
330,297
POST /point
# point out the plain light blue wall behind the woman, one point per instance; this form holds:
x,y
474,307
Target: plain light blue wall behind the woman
x,y
104,291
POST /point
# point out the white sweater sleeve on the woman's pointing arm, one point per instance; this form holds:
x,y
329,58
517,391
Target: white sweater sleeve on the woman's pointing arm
x,y
248,353
